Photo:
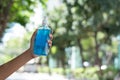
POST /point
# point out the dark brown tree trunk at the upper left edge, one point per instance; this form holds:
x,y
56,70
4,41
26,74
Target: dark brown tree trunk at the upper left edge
x,y
5,6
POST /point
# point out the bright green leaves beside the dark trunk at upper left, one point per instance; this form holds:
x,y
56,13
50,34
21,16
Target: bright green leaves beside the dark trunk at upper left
x,y
21,10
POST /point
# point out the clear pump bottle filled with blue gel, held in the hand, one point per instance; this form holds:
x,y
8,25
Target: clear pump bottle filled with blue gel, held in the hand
x,y
41,46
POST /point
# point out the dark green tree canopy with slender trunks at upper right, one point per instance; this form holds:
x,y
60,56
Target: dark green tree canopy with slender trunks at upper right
x,y
93,16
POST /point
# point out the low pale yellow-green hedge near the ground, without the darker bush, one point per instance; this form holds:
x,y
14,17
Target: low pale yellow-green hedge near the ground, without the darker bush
x,y
80,73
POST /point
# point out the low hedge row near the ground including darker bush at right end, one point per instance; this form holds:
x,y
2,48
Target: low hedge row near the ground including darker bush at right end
x,y
81,73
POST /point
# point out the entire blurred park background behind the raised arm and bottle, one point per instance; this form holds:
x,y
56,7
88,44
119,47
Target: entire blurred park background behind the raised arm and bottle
x,y
86,44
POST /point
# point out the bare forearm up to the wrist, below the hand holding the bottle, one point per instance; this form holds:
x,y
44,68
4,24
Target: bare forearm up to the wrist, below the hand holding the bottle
x,y
13,65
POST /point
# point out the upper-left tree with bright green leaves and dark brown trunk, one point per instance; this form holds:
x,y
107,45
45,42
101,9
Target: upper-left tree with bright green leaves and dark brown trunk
x,y
17,11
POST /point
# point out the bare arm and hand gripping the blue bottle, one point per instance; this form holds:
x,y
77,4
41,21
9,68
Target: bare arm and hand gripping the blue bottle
x,y
8,68
